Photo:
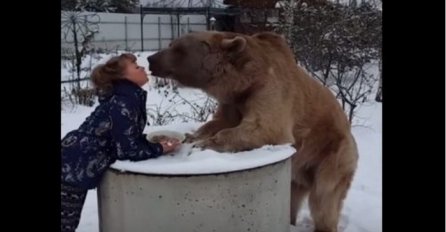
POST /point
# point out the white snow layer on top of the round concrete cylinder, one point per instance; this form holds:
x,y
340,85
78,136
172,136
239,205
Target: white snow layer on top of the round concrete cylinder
x,y
190,161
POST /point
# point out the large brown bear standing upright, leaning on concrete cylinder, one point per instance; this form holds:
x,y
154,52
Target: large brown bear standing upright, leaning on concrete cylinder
x,y
266,98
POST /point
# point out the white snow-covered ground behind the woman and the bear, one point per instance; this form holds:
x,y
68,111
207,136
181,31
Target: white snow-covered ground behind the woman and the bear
x,y
362,210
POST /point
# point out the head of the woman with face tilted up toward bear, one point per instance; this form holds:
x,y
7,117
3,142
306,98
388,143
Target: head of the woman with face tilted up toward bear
x,y
118,68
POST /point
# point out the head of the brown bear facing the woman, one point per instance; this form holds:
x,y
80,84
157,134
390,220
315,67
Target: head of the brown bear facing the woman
x,y
206,59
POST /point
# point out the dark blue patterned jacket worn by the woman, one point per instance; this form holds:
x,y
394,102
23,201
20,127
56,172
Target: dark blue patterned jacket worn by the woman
x,y
113,131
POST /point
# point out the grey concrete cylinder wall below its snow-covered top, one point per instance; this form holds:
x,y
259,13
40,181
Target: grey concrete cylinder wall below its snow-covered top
x,y
256,200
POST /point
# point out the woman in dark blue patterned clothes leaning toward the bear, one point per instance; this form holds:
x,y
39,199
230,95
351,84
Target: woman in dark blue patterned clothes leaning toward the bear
x,y
114,131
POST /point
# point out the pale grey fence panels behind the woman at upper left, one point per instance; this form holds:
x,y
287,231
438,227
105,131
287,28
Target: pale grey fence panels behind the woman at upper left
x,y
123,31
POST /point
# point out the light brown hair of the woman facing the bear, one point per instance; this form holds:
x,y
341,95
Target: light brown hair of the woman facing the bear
x,y
104,75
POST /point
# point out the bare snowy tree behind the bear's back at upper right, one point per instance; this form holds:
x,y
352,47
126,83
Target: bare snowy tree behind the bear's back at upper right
x,y
336,43
